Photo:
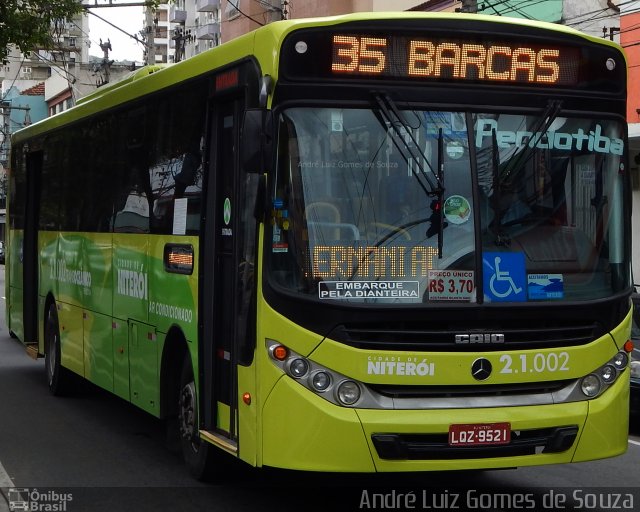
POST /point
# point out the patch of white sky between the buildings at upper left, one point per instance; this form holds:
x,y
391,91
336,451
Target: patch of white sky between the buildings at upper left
x,y
129,19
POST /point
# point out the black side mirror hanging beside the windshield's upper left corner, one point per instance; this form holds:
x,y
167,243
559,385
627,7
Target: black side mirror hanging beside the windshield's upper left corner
x,y
256,140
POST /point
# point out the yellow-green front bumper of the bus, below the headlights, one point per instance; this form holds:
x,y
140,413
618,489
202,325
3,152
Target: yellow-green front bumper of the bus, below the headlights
x,y
305,432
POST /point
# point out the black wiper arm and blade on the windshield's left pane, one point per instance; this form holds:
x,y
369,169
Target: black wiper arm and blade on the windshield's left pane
x,y
431,181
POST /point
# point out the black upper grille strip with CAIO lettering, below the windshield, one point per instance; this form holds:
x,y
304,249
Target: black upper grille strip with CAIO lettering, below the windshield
x,y
441,337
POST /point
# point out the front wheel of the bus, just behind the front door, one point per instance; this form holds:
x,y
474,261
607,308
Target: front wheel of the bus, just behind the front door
x,y
198,454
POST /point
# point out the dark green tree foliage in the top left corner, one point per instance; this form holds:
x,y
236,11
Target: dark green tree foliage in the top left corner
x,y
29,24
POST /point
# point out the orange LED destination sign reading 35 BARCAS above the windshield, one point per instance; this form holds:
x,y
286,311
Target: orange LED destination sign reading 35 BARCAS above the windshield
x,y
452,60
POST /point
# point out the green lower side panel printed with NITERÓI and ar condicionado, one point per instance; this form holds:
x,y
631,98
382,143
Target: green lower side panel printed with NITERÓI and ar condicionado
x,y
116,302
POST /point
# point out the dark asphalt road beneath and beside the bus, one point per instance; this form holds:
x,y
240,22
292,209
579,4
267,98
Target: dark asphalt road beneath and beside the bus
x,y
92,452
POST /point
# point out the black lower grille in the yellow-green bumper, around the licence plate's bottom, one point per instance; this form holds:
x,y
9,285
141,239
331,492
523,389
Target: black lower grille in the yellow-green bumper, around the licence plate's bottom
x,y
436,446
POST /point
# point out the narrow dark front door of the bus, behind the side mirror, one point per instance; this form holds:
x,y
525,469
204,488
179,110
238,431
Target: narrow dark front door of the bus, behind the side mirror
x,y
220,289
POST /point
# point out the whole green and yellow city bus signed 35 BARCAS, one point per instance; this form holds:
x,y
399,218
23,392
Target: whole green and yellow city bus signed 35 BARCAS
x,y
378,242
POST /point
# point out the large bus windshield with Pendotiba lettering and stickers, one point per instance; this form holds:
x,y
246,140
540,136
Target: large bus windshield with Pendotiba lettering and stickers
x,y
439,206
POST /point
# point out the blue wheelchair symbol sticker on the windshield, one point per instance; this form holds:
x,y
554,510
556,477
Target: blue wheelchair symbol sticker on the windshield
x,y
505,277
